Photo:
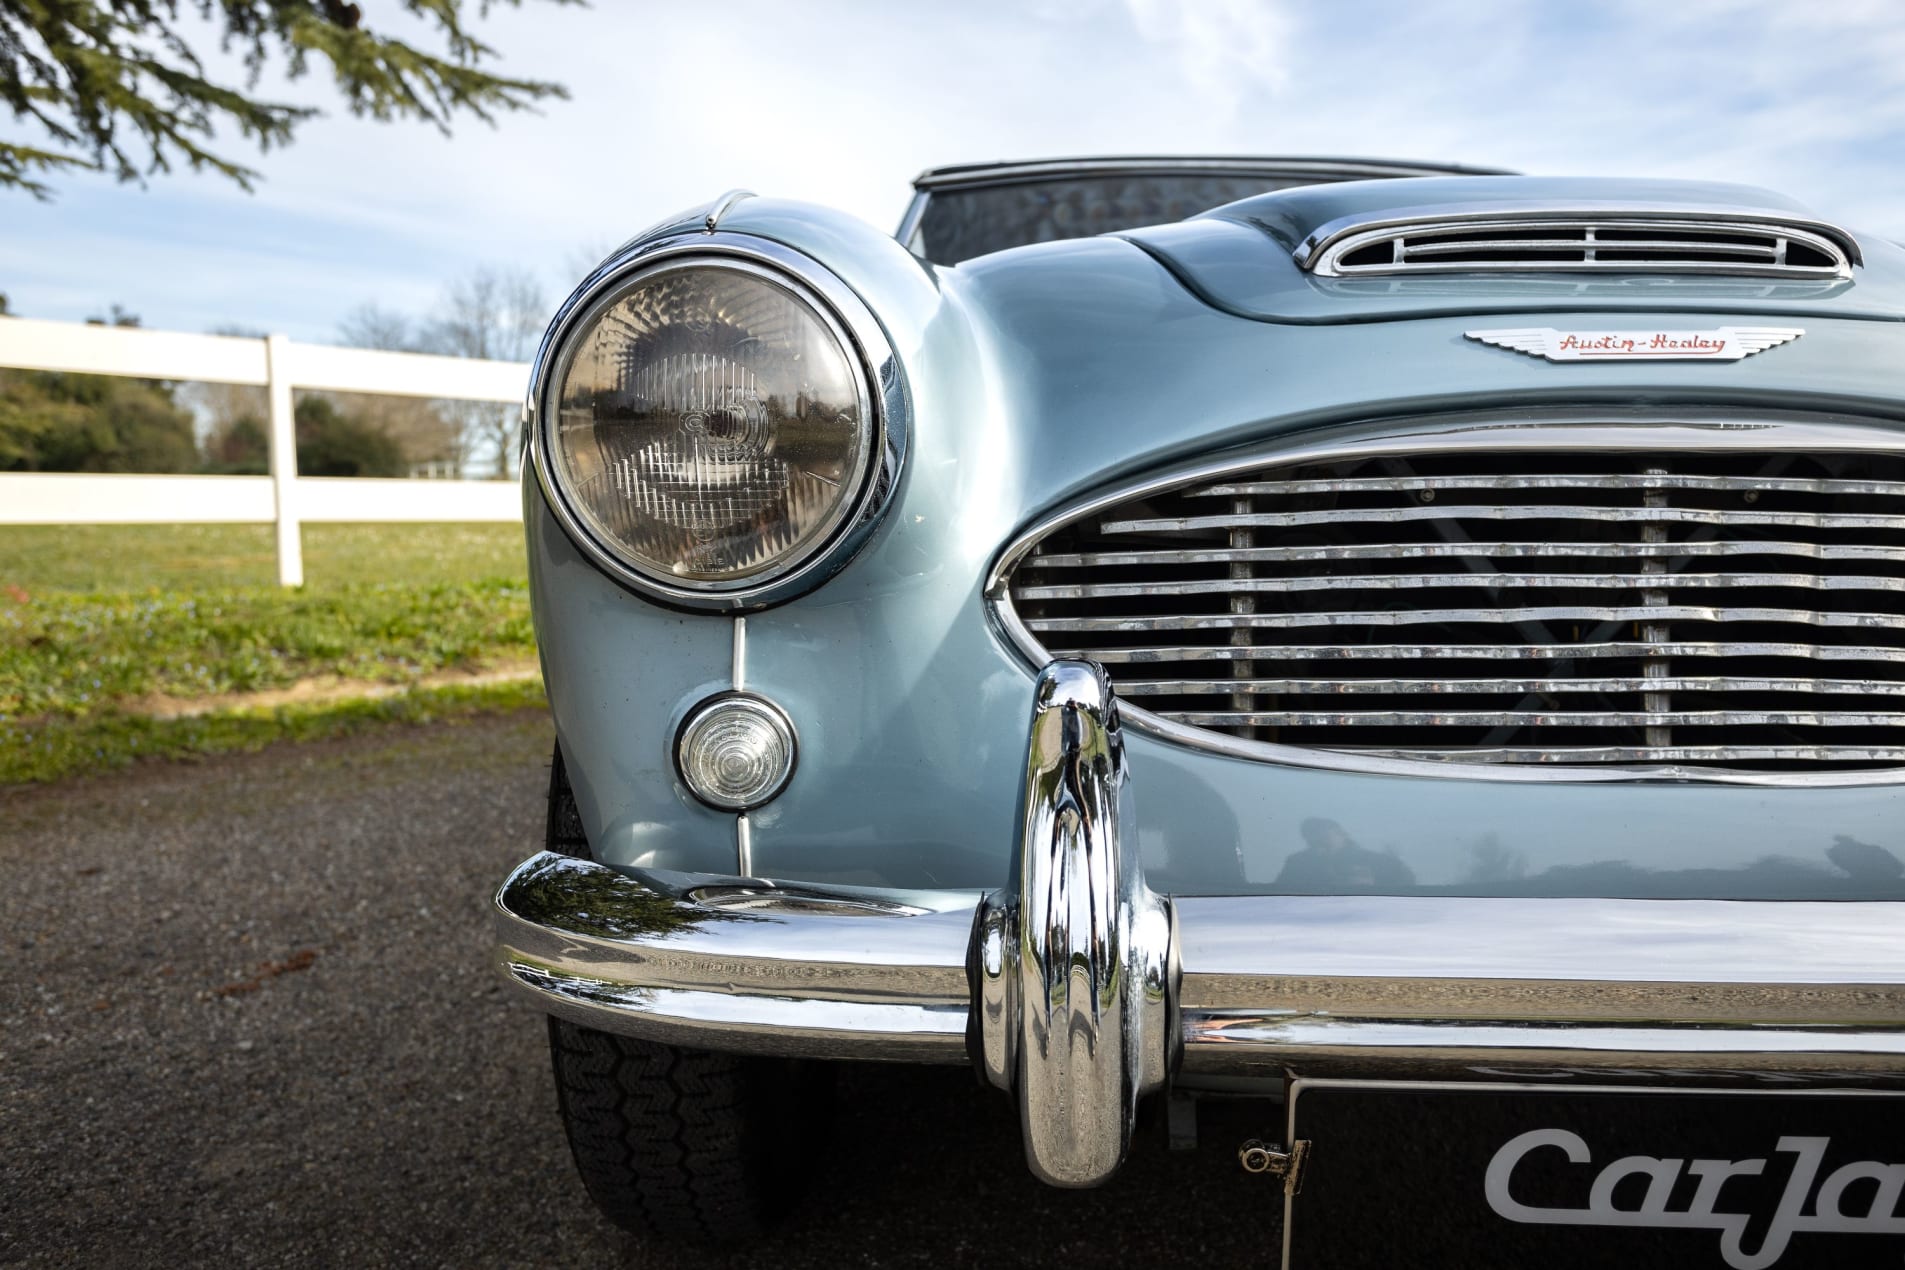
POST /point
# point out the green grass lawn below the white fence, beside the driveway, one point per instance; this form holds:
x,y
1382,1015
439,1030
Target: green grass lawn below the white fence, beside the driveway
x,y
161,641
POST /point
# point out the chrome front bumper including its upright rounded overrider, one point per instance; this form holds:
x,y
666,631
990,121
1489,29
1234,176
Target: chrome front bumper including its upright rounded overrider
x,y
1079,989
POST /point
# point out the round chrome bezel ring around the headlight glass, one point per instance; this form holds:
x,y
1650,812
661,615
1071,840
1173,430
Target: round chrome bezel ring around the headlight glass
x,y
835,306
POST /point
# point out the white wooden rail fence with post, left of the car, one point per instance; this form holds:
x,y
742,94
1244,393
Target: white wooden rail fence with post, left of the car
x,y
273,365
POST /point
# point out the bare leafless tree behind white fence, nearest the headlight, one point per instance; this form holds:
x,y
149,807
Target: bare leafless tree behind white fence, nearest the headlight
x,y
491,313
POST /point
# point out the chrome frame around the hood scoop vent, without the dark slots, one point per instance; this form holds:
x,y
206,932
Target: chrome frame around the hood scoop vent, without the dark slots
x,y
1323,247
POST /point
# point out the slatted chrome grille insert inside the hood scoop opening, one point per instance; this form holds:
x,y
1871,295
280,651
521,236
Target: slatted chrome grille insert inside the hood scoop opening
x,y
1565,245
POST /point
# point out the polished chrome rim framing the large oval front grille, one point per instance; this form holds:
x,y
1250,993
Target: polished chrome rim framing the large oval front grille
x,y
1609,431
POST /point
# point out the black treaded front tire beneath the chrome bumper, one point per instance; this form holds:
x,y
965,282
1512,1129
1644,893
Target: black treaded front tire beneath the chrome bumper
x,y
679,1143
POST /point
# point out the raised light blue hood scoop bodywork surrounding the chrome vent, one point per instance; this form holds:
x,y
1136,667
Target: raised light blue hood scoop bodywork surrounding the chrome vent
x,y
1243,258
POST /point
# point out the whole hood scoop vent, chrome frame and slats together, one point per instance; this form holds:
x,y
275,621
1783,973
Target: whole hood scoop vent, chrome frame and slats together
x,y
1609,241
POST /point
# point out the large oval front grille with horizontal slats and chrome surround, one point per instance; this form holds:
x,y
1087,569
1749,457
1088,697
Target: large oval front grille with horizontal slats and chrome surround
x,y
1647,584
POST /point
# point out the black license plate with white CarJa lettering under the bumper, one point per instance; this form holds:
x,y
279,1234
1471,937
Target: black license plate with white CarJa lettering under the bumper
x,y
1550,1180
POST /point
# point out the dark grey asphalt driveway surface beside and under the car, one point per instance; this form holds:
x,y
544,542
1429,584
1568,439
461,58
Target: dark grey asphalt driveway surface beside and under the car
x,y
247,1020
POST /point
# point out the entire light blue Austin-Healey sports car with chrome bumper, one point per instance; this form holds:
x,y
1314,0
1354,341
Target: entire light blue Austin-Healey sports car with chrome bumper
x,y
1418,645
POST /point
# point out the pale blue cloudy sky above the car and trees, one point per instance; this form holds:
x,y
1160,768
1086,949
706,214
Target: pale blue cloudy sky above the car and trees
x,y
843,102
